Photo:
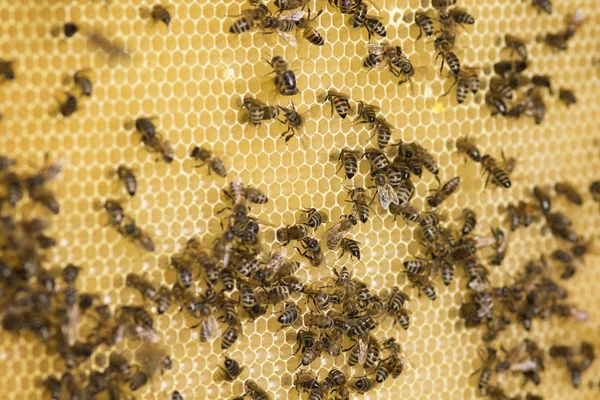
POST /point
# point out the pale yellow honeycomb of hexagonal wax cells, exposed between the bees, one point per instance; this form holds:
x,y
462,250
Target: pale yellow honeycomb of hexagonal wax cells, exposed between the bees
x,y
193,75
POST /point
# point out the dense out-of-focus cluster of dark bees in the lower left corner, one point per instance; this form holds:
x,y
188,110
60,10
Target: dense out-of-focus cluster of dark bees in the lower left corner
x,y
45,300
